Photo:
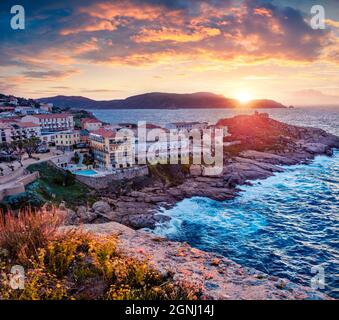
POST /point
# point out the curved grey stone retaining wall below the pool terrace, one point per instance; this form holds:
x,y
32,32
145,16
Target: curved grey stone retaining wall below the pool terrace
x,y
105,181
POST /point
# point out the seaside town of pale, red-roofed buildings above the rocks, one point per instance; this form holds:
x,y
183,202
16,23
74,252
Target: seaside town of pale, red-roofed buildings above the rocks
x,y
77,142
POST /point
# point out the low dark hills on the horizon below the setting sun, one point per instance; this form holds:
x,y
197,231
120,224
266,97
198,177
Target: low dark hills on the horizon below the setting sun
x,y
157,100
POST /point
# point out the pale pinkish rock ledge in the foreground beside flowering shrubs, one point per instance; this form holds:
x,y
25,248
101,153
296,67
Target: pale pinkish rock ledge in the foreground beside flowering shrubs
x,y
218,277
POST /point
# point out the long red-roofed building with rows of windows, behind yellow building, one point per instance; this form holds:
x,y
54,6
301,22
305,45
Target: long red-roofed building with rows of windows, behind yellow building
x,y
54,122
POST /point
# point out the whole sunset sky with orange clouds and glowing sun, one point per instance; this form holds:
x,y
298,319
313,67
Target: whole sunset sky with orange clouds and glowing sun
x,y
248,49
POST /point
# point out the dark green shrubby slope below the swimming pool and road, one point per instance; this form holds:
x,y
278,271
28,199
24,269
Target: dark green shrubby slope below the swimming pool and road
x,y
55,185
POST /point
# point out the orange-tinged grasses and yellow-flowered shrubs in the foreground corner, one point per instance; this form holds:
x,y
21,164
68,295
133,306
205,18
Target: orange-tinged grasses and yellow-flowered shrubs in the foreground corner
x,y
75,265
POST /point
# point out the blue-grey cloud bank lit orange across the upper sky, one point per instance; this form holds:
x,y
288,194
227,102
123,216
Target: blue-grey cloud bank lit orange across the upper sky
x,y
145,31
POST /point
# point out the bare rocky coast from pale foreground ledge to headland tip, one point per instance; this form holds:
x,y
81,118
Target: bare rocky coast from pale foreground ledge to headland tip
x,y
223,279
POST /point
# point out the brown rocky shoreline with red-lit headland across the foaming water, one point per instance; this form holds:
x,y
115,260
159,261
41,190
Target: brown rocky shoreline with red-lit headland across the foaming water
x,y
140,208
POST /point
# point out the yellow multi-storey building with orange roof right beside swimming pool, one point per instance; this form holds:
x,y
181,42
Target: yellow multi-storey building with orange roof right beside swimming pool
x,y
110,150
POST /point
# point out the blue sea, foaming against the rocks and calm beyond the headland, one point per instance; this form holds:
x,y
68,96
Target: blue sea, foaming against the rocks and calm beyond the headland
x,y
286,226
